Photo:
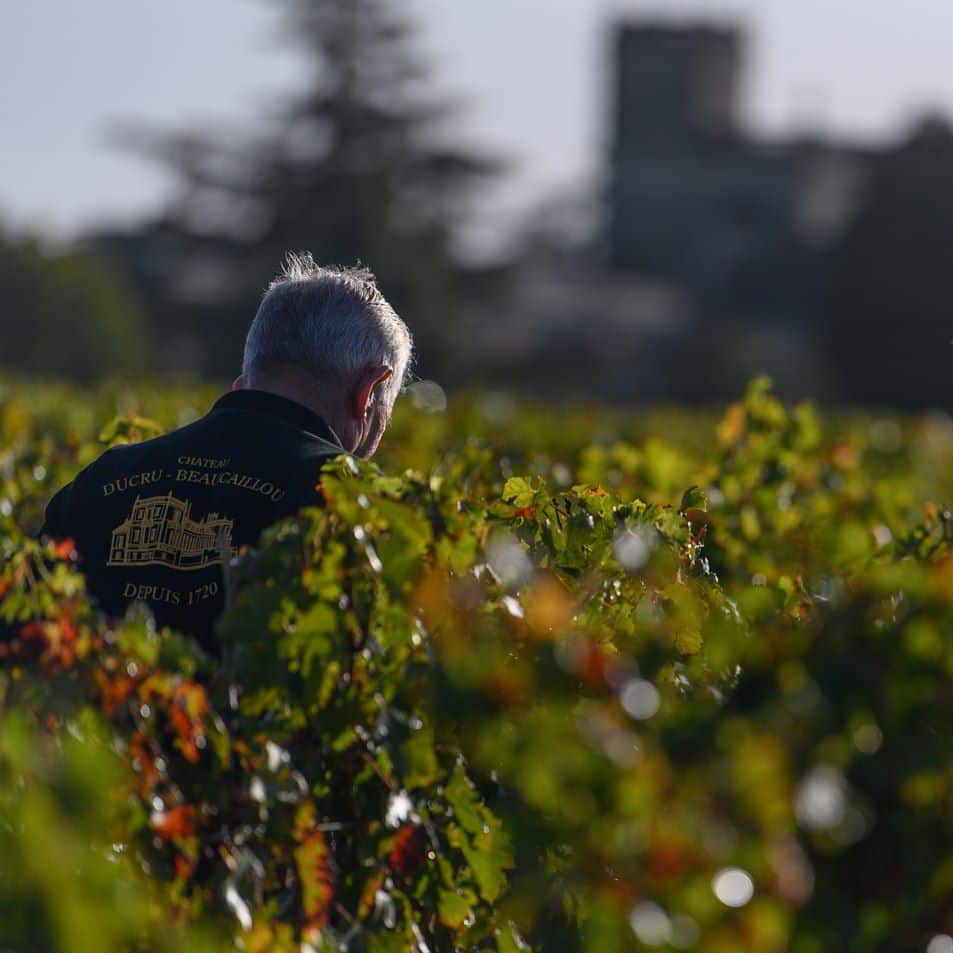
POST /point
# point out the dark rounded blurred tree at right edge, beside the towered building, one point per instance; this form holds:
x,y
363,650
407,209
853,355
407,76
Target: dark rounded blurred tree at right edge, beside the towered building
x,y
892,278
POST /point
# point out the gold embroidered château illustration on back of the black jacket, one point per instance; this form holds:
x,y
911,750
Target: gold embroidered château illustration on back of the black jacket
x,y
161,532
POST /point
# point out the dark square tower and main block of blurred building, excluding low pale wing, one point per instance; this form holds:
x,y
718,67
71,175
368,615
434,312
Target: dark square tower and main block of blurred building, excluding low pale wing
x,y
744,227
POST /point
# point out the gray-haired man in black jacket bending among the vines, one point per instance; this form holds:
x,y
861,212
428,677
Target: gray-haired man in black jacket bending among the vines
x,y
324,360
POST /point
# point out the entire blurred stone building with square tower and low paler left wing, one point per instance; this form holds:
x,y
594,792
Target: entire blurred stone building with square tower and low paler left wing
x,y
704,259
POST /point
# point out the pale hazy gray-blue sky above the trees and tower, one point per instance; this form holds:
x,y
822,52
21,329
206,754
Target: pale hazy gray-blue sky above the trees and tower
x,y
531,74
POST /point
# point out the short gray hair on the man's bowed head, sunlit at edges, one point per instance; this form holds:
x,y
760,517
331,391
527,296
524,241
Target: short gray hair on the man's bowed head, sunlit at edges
x,y
332,321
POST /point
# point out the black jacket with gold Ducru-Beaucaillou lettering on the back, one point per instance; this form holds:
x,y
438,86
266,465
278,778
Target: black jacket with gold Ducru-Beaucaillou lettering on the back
x,y
154,521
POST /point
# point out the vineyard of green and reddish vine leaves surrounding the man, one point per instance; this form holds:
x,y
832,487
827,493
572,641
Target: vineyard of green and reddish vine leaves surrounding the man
x,y
569,679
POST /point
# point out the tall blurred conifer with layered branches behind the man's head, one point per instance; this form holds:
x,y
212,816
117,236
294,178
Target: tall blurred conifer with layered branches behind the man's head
x,y
352,168
